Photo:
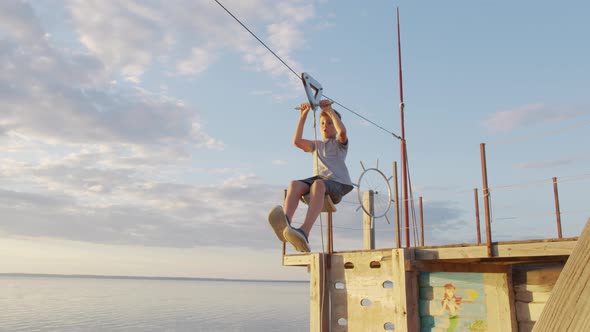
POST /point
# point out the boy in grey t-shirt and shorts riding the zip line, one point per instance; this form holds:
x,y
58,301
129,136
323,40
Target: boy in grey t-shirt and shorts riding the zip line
x,y
330,176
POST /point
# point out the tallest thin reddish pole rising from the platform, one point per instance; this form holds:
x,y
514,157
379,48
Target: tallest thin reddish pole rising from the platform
x,y
403,140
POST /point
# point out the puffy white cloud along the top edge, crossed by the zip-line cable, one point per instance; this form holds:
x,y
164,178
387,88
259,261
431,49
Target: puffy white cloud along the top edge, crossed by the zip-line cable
x,y
154,30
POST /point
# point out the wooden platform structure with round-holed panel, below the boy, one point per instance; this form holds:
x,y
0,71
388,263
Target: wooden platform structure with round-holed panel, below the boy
x,y
350,294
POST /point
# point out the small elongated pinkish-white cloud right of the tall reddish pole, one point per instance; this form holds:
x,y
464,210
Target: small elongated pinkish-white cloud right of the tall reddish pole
x,y
526,115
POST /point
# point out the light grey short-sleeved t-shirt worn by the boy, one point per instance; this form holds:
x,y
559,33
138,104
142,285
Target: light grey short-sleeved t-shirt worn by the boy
x,y
330,162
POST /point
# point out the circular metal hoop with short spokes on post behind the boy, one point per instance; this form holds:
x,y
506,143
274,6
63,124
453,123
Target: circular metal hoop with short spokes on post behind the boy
x,y
374,180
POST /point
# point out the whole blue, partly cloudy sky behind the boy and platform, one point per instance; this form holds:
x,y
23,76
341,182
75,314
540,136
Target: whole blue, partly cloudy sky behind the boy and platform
x,y
151,138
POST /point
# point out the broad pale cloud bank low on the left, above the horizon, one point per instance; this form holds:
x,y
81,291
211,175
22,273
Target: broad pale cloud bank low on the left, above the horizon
x,y
150,214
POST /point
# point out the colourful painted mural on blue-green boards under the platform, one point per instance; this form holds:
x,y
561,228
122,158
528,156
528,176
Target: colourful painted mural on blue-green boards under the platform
x,y
452,302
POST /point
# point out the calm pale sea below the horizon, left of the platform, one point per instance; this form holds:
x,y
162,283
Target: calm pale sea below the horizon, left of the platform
x,y
92,303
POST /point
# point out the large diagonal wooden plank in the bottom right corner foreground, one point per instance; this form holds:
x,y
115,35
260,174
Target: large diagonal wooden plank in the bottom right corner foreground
x,y
568,307
